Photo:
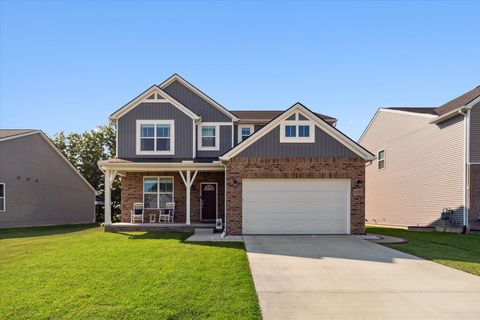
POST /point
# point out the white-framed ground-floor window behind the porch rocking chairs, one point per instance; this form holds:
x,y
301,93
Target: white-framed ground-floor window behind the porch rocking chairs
x,y
157,191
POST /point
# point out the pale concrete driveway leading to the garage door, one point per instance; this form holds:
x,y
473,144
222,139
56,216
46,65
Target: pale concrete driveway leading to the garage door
x,y
346,277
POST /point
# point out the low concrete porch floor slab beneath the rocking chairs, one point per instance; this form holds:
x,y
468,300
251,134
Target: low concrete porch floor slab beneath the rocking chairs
x,y
167,227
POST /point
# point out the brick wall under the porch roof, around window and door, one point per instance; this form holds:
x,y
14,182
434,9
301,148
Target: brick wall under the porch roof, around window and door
x,y
132,191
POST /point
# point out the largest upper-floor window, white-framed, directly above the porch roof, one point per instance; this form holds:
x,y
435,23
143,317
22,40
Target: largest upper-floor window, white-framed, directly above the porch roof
x,y
155,137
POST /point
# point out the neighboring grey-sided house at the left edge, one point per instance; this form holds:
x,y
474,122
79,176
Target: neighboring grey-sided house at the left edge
x,y
38,186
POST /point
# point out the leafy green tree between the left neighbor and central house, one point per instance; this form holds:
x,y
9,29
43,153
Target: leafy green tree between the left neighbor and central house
x,y
84,151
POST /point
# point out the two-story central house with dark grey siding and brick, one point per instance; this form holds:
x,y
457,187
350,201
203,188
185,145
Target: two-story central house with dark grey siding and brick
x,y
258,172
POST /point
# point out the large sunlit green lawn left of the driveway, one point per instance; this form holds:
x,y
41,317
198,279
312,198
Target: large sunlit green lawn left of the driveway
x,y
81,272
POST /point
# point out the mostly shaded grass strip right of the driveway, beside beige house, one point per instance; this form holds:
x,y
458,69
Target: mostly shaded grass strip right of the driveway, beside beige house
x,y
459,251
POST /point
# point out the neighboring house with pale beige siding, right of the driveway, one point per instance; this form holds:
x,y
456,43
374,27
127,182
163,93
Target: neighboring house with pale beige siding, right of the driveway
x,y
428,159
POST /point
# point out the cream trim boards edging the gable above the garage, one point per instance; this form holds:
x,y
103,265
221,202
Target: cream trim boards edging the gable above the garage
x,y
322,124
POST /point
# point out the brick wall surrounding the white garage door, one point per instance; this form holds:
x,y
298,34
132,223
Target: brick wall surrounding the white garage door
x,y
295,168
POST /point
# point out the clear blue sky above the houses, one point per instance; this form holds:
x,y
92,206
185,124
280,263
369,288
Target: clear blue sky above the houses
x,y
68,65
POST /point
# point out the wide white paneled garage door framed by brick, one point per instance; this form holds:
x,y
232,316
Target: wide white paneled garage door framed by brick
x,y
296,206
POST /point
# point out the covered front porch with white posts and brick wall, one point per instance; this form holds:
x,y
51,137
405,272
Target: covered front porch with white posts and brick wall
x,y
197,189
